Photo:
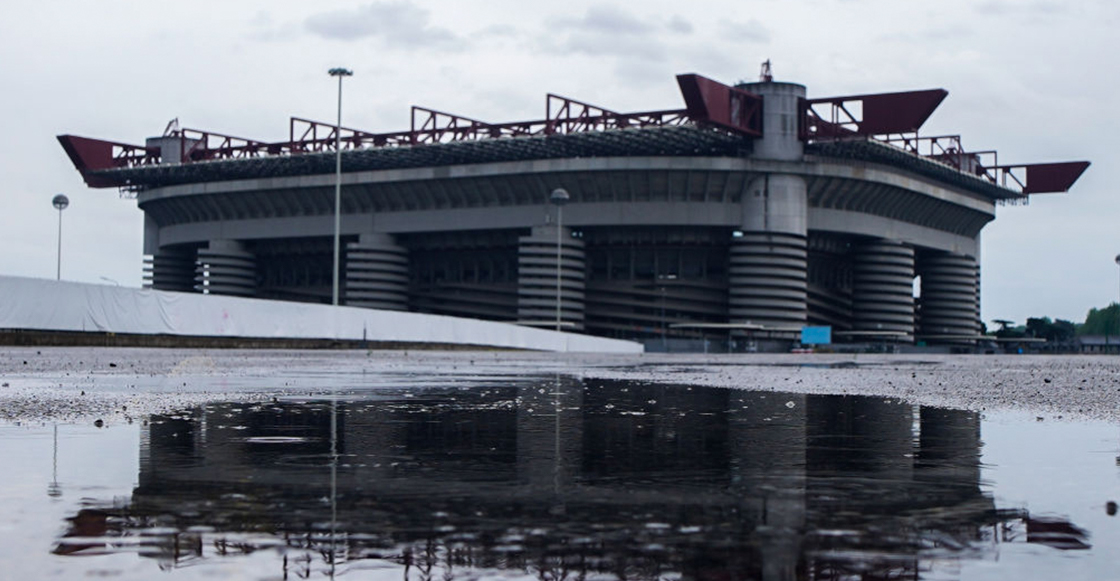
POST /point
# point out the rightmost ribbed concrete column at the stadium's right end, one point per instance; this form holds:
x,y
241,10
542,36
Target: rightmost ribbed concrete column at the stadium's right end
x,y
950,298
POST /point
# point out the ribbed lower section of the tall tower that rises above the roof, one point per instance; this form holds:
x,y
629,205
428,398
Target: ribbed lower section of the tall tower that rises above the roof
x,y
769,279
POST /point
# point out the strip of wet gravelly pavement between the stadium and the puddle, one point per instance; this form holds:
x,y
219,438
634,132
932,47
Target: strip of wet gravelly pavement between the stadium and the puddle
x,y
122,385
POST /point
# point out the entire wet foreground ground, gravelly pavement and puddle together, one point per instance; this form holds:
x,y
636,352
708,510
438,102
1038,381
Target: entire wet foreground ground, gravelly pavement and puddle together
x,y
292,465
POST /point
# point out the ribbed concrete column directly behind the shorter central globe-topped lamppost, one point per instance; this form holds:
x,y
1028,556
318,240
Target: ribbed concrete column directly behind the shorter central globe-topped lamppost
x,y
537,278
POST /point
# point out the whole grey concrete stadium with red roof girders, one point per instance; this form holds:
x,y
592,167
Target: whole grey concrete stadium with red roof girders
x,y
748,215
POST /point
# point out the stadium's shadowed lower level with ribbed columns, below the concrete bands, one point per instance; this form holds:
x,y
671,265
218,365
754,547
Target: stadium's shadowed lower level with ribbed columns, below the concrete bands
x,y
622,283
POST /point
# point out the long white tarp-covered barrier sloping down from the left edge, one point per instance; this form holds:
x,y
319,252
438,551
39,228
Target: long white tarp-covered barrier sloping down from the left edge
x,y
48,305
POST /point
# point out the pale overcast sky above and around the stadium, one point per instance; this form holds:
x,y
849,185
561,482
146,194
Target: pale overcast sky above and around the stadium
x,y
1035,80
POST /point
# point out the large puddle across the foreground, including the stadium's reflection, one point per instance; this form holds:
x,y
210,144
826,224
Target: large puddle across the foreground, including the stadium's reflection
x,y
563,480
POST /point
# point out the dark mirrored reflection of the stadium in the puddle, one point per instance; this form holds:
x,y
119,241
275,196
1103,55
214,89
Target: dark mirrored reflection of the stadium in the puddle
x,y
565,480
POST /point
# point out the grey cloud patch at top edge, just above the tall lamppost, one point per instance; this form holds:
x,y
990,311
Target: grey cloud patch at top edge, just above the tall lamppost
x,y
397,24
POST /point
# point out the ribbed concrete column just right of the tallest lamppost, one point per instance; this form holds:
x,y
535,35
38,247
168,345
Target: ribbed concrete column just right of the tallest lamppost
x,y
377,274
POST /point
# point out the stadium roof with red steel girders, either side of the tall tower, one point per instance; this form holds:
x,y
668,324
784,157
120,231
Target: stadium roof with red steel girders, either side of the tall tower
x,y
705,128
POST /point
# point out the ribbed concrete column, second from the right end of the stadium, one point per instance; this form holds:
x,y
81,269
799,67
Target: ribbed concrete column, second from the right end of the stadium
x,y
883,289
